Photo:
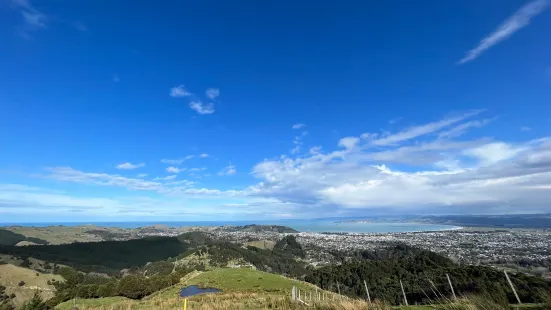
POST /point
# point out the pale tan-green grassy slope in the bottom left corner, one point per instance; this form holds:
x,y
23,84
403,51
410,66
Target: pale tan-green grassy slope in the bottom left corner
x,y
11,275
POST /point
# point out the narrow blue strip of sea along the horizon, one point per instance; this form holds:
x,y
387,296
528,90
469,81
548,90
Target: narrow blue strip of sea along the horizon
x,y
315,226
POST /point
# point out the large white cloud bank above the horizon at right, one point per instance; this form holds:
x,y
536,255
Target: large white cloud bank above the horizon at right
x,y
453,175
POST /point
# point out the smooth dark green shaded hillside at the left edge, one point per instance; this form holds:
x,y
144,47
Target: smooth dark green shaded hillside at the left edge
x,y
106,257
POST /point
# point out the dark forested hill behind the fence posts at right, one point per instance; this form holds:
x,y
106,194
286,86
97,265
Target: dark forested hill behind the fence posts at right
x,y
383,270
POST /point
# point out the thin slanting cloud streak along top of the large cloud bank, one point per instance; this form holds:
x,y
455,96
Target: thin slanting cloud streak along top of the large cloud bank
x,y
417,131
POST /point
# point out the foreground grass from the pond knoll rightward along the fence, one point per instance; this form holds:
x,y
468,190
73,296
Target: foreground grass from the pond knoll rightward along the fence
x,y
248,289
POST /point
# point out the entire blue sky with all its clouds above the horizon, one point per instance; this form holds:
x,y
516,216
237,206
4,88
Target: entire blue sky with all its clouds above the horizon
x,y
217,110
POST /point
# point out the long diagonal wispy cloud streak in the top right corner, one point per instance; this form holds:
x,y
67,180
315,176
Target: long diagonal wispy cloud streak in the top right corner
x,y
517,21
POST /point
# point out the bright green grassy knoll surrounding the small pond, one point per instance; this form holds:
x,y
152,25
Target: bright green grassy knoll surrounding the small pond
x,y
242,289
